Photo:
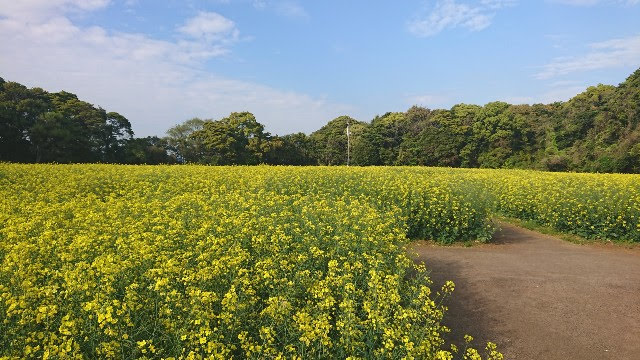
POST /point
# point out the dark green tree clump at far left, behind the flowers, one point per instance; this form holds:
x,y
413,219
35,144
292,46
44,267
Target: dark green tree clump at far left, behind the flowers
x,y
37,126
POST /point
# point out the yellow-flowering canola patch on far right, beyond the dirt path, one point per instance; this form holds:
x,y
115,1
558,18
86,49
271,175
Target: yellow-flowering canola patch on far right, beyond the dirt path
x,y
593,206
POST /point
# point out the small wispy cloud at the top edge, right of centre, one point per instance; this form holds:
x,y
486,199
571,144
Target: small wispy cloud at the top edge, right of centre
x,y
449,14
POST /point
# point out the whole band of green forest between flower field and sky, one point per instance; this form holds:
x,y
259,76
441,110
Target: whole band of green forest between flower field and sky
x,y
596,131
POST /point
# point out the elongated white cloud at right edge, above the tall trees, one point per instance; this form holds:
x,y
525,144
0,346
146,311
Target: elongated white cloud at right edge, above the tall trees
x,y
607,54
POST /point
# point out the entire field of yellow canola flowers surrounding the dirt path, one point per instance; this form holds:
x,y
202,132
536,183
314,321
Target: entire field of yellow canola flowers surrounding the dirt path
x,y
106,261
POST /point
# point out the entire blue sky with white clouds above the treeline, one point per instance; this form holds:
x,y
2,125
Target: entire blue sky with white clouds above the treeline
x,y
298,64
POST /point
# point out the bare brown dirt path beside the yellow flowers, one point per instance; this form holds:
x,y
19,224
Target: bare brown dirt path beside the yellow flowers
x,y
539,297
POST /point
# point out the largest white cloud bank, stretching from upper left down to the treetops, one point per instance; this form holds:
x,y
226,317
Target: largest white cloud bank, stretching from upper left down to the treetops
x,y
155,83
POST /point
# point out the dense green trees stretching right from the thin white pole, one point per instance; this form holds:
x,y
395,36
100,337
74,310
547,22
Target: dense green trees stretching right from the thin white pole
x,y
596,131
